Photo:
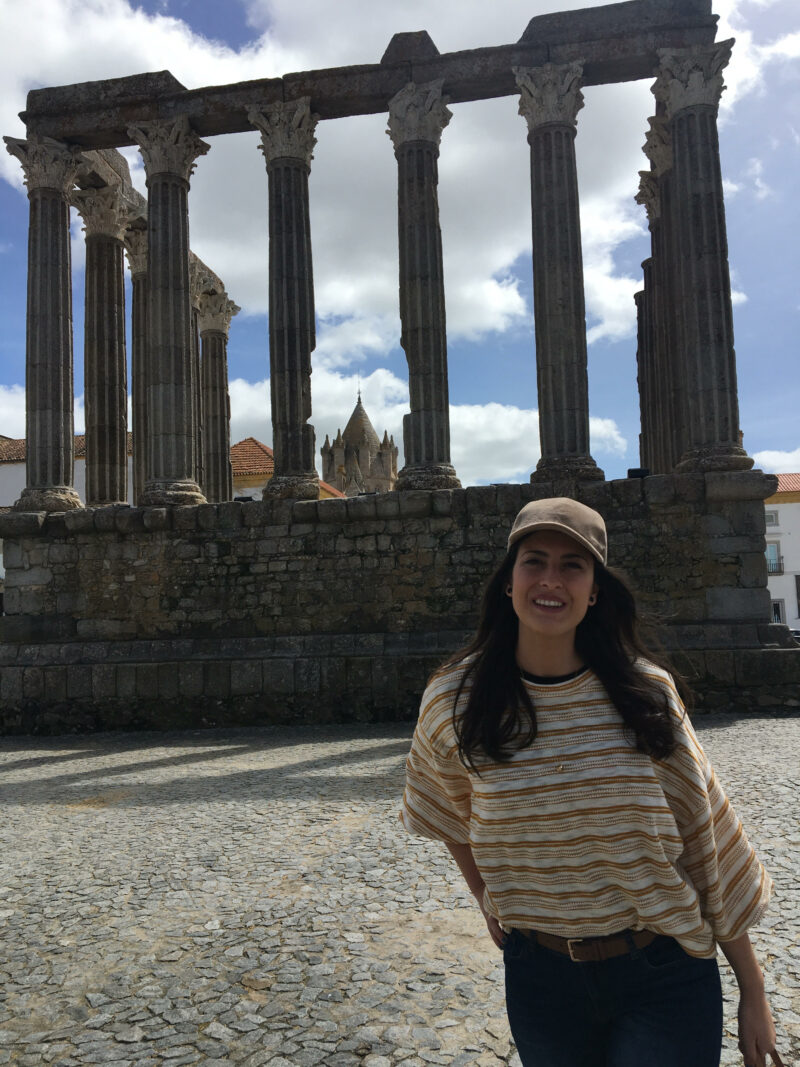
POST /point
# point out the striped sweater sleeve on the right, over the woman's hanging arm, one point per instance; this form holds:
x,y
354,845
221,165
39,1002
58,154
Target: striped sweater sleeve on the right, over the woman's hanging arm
x,y
718,861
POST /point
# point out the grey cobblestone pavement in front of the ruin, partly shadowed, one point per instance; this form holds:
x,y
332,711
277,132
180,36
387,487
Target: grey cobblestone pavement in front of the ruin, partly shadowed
x,y
248,897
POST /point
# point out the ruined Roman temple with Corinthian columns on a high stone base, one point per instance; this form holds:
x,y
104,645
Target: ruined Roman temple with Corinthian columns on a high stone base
x,y
181,611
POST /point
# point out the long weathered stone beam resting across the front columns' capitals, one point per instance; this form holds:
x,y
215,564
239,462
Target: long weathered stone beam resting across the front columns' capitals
x,y
615,42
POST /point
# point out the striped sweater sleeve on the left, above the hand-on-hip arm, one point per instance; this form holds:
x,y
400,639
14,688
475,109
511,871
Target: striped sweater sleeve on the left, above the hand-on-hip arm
x,y
437,801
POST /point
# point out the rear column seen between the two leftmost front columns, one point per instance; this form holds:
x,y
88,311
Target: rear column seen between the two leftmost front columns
x,y
105,214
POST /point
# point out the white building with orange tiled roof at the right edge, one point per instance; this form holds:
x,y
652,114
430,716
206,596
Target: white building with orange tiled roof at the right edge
x,y
782,513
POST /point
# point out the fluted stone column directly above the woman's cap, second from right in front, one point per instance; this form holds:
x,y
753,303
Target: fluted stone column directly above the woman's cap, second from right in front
x,y
550,102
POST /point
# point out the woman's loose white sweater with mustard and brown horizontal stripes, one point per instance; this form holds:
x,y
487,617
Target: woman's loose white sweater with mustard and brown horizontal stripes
x,y
581,835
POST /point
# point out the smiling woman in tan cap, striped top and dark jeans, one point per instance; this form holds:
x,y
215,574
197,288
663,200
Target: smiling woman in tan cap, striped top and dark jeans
x,y
555,760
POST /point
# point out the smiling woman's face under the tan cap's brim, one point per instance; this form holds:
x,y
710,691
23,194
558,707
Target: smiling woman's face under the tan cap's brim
x,y
552,585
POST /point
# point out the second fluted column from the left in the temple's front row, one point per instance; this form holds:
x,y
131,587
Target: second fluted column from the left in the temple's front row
x,y
169,149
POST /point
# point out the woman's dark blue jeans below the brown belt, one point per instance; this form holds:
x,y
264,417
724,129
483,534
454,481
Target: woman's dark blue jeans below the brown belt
x,y
658,1007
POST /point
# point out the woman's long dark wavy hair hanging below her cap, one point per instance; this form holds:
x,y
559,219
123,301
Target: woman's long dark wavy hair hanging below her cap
x,y
500,718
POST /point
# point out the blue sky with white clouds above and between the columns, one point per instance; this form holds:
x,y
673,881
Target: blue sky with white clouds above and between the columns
x,y
486,217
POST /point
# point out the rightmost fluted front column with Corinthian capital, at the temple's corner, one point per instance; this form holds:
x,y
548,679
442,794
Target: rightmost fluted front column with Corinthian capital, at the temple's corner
x,y
690,86
